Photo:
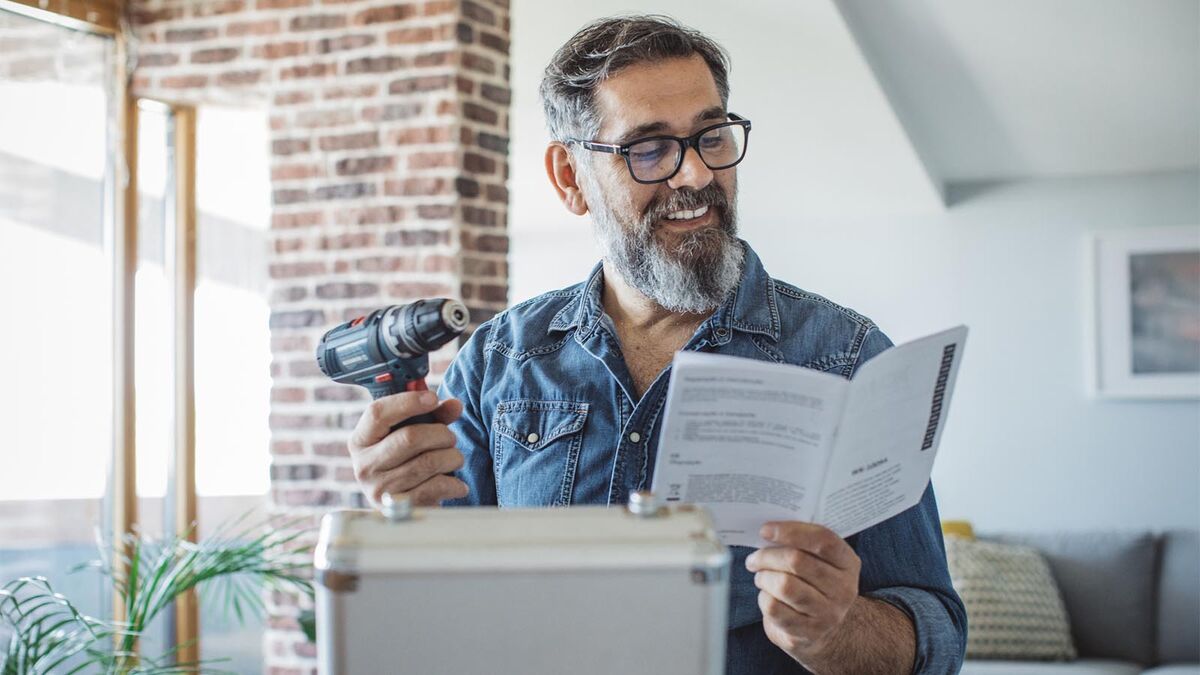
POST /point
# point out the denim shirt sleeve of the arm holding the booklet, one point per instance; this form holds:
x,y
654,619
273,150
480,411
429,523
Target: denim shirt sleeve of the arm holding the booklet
x,y
904,564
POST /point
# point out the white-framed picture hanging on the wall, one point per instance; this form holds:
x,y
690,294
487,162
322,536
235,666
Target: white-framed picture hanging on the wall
x,y
1147,314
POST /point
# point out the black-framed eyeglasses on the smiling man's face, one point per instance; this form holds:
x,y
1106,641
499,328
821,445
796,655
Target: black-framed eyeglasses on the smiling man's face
x,y
658,159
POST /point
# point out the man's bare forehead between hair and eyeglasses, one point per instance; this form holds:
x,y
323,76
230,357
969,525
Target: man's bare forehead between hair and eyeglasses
x,y
665,97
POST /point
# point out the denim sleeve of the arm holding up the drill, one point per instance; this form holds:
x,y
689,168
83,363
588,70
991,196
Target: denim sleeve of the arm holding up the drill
x,y
464,381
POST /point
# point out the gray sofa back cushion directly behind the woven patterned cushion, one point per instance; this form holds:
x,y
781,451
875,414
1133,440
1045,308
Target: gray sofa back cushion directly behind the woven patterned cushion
x,y
1108,586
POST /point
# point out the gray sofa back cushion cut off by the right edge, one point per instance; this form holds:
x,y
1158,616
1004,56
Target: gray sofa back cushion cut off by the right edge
x,y
1179,599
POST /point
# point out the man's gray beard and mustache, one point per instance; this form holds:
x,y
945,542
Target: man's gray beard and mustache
x,y
693,276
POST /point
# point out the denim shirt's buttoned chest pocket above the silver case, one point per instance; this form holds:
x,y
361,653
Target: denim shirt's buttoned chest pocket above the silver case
x,y
537,451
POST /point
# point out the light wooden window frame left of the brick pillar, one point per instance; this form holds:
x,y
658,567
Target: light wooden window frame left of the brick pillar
x,y
105,19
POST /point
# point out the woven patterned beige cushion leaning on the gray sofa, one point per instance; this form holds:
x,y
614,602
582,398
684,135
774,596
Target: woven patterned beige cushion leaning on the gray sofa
x,y
1015,611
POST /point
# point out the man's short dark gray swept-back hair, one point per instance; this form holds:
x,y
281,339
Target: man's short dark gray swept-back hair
x,y
603,49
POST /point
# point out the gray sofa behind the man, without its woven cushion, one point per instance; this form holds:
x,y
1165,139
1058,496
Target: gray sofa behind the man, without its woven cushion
x,y
1133,601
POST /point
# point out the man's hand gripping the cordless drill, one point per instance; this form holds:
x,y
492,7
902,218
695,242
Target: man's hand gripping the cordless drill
x,y
412,459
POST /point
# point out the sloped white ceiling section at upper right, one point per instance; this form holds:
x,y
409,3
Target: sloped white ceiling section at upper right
x,y
1035,88
